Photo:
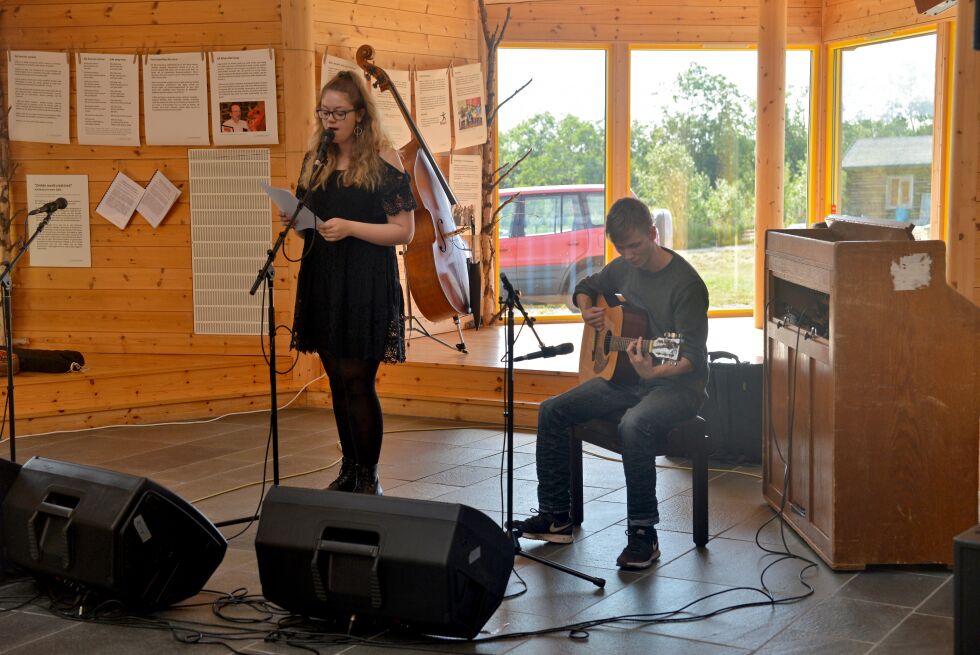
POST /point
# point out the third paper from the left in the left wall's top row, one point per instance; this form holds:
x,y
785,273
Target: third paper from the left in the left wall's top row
x,y
175,103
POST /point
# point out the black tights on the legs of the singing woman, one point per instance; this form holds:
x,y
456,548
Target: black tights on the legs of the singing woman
x,y
356,407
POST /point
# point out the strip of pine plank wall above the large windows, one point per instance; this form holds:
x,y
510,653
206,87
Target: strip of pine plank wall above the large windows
x,y
652,21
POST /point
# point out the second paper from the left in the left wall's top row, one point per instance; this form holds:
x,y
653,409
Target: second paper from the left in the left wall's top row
x,y
108,100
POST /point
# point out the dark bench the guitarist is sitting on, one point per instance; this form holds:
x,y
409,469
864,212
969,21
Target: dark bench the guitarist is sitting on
x,y
688,438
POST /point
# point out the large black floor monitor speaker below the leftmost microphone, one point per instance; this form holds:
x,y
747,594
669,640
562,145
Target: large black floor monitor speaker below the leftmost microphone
x,y
124,536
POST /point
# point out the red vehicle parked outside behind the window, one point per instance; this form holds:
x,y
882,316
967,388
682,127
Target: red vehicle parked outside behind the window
x,y
552,236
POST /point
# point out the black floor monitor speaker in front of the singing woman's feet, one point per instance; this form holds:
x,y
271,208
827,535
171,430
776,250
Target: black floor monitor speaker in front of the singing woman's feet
x,y
433,568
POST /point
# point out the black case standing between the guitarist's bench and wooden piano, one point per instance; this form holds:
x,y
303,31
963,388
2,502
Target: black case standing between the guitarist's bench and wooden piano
x,y
733,410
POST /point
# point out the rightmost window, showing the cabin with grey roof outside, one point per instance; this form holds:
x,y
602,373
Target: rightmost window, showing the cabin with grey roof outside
x,y
884,141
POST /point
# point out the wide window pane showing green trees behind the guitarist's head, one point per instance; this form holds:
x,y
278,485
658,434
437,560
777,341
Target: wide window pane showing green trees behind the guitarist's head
x,y
693,160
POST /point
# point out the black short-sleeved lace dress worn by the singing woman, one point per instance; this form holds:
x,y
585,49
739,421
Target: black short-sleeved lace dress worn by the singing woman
x,y
349,301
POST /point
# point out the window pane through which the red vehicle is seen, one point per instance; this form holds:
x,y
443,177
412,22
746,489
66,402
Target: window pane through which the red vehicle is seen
x,y
556,236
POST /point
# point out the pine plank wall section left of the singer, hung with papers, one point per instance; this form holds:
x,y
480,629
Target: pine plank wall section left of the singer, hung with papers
x,y
137,297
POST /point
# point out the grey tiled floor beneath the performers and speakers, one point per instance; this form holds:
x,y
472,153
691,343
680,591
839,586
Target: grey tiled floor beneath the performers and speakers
x,y
889,610
